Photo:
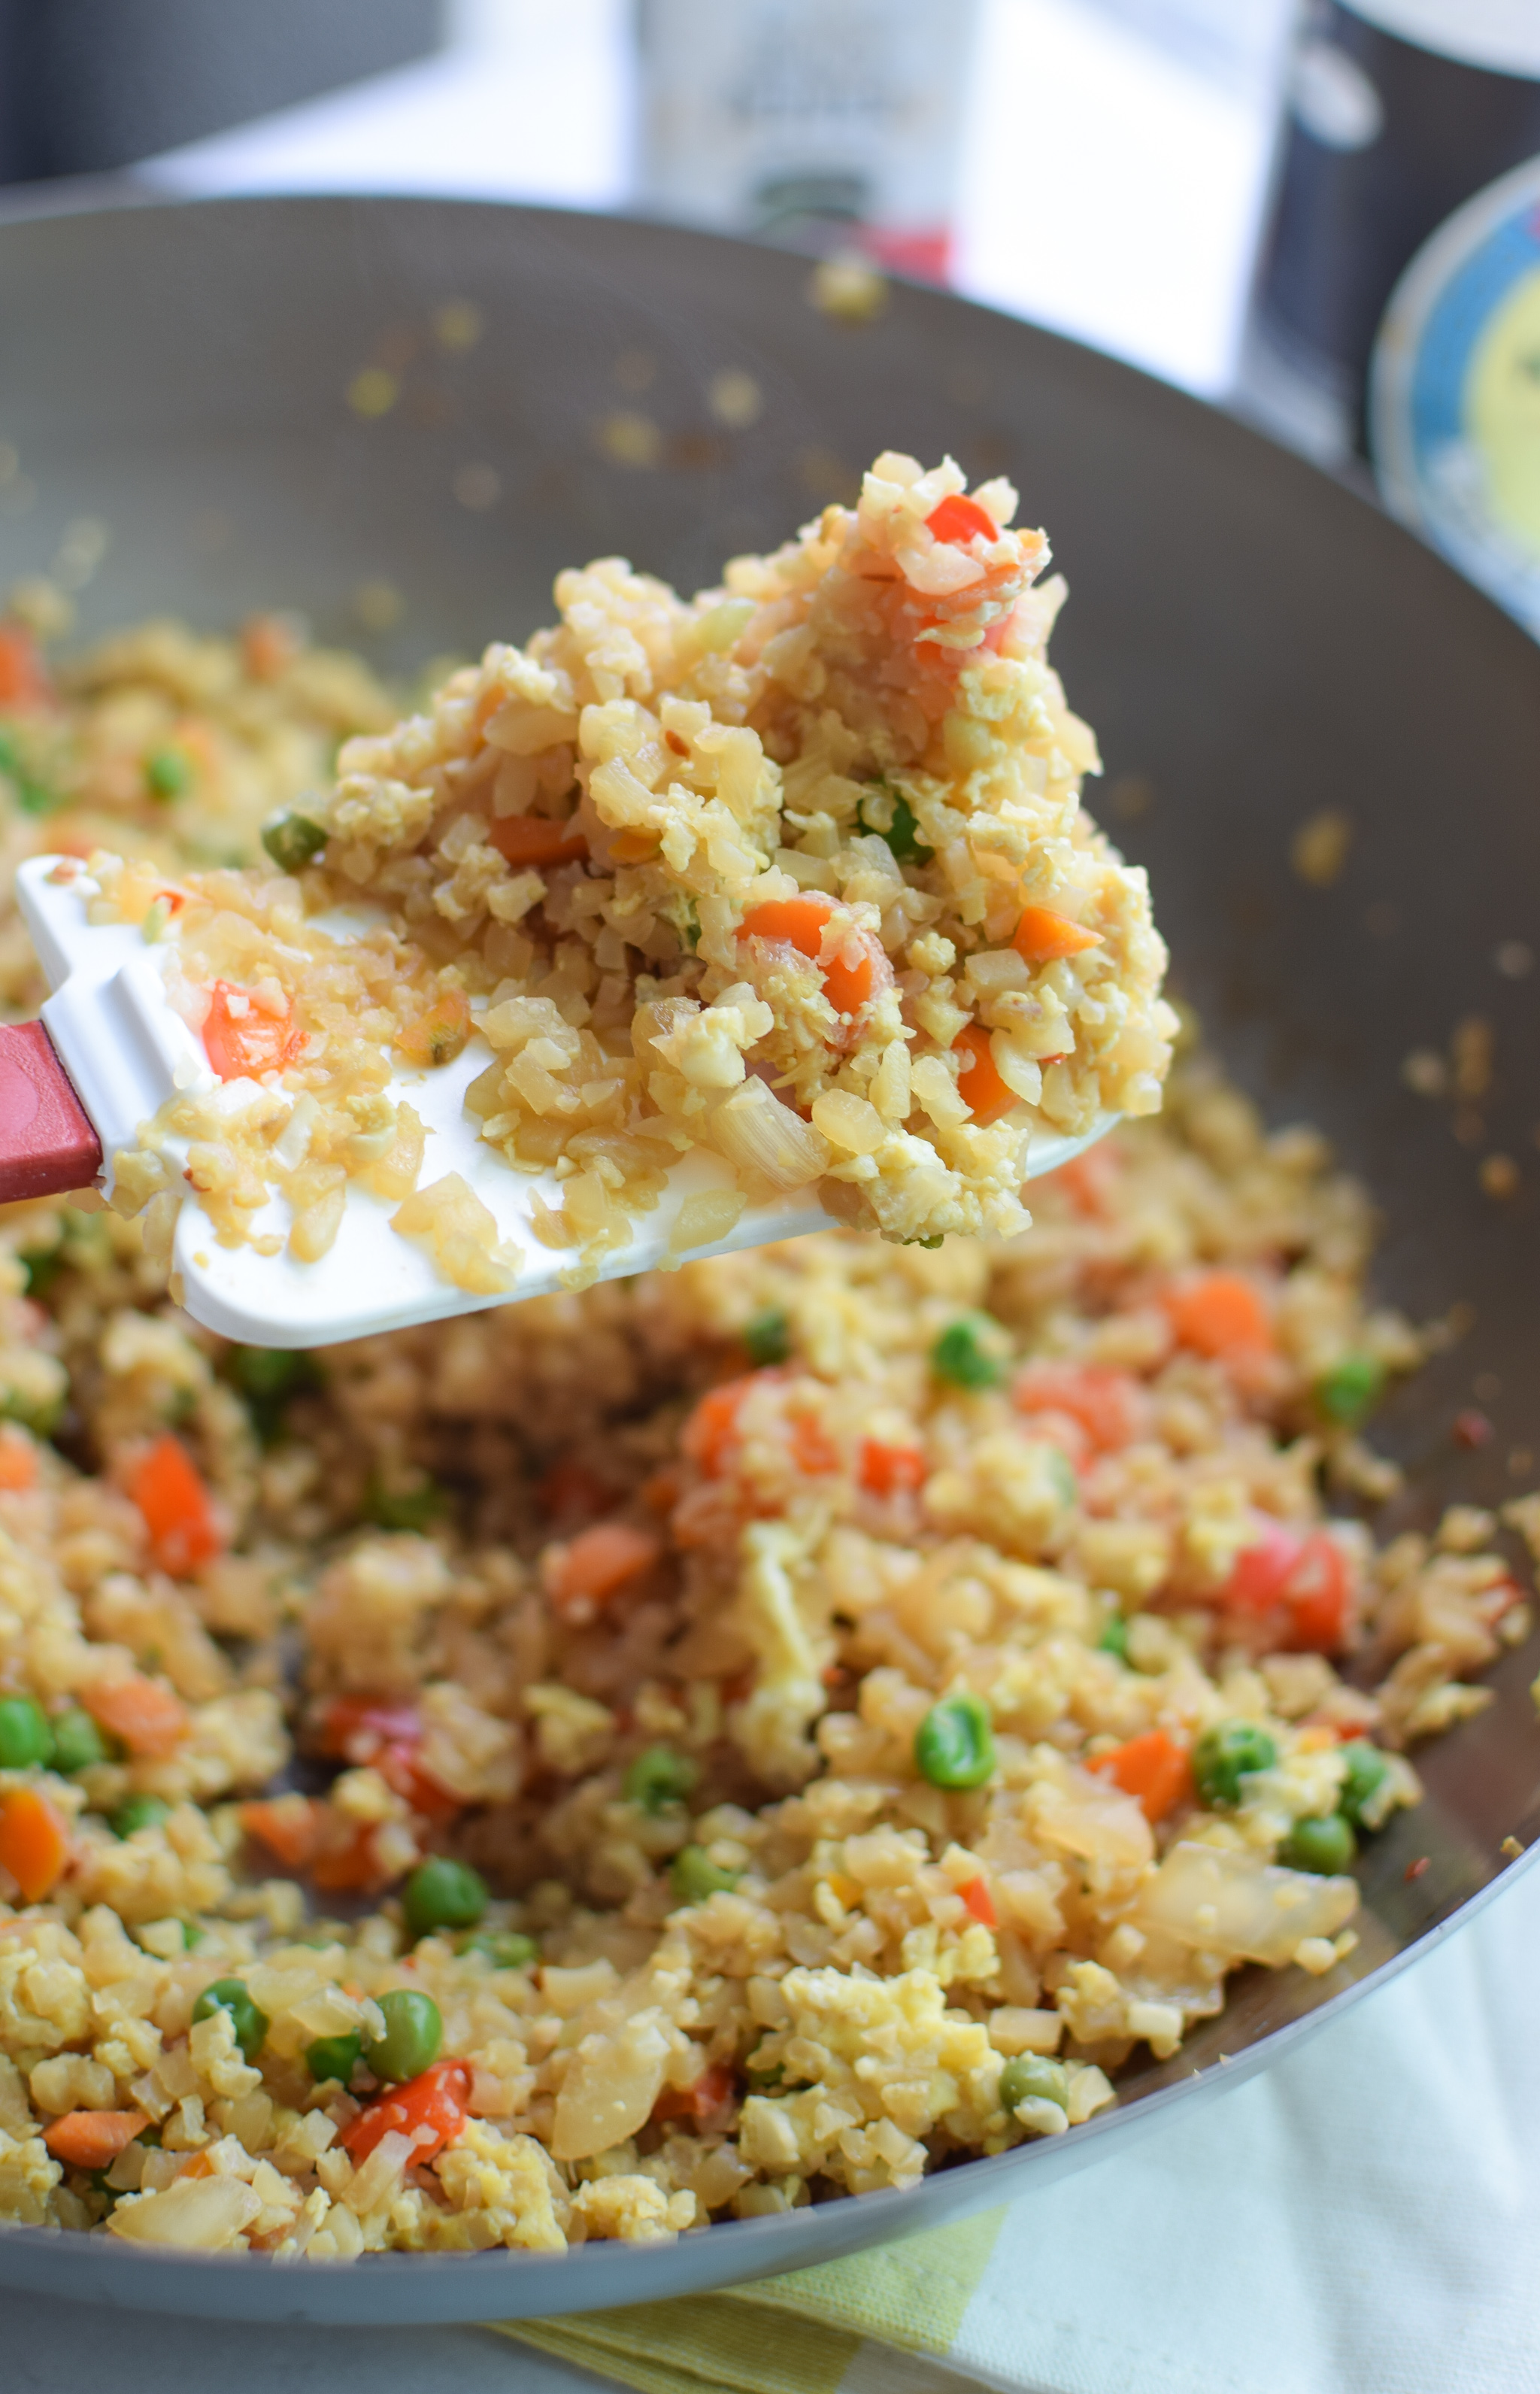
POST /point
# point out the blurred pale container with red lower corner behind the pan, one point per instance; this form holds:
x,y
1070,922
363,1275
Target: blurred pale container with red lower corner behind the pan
x,y
823,126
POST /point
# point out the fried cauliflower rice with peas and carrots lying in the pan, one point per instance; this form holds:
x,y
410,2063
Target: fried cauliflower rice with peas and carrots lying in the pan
x,y
691,1746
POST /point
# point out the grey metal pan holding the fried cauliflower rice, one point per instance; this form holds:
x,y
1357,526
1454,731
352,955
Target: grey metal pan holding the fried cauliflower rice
x,y
1254,645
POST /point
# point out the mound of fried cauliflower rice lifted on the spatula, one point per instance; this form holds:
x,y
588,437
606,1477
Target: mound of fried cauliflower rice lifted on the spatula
x,y
794,873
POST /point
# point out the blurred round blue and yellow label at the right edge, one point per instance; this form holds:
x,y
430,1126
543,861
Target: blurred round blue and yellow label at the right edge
x,y
1455,396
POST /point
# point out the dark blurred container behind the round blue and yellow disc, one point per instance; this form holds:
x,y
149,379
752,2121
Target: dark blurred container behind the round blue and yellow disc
x,y
1397,114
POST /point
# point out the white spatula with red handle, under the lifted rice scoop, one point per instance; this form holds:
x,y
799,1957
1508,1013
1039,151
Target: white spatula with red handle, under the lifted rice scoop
x,y
111,1050
